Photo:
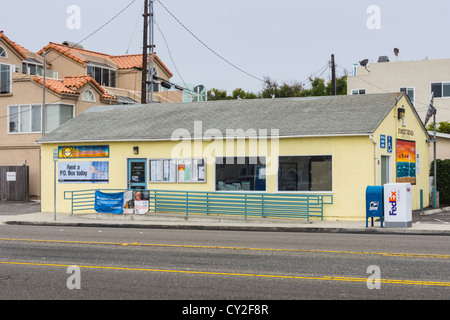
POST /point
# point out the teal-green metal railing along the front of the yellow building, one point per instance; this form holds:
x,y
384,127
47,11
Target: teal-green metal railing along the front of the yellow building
x,y
248,204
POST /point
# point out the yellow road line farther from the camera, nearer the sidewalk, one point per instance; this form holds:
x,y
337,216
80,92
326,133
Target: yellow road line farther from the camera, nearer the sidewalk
x,y
386,254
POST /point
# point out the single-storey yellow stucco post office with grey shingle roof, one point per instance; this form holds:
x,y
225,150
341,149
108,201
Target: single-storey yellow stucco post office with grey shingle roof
x,y
320,145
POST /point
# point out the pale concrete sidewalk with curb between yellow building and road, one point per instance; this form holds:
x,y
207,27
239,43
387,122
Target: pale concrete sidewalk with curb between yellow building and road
x,y
420,225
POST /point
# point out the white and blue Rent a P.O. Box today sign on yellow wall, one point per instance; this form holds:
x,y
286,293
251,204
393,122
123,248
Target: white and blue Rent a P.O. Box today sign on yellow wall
x,y
83,172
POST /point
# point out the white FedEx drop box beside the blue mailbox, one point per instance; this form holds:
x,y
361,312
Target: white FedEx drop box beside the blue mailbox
x,y
398,205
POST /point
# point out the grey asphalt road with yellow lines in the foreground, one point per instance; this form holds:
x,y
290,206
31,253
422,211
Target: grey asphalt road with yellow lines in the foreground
x,y
185,265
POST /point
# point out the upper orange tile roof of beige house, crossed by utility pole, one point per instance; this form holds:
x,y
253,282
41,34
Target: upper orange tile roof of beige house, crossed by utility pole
x,y
123,61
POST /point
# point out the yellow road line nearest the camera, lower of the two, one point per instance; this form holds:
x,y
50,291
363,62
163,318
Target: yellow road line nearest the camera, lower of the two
x,y
324,278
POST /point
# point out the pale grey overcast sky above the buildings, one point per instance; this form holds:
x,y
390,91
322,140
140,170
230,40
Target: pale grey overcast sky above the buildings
x,y
286,40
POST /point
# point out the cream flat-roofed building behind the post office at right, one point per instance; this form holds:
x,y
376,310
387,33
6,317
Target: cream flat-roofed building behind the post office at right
x,y
418,79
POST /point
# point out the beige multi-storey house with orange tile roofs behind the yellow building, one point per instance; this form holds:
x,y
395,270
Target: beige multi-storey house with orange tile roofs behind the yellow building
x,y
77,79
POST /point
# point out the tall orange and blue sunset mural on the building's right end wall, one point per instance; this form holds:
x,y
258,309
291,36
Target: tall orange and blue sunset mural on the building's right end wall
x,y
406,161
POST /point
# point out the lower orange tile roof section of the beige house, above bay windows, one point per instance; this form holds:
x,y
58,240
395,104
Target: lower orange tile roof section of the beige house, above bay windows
x,y
71,85
